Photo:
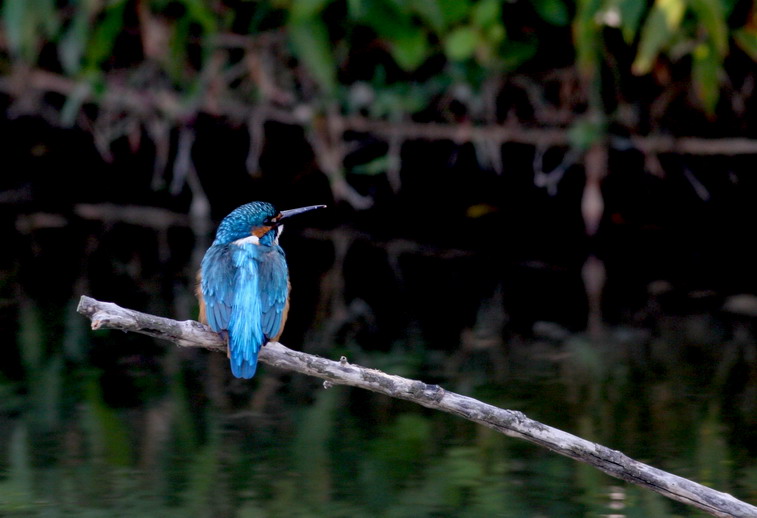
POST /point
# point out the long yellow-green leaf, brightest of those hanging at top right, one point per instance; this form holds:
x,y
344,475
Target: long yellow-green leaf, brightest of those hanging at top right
x,y
663,21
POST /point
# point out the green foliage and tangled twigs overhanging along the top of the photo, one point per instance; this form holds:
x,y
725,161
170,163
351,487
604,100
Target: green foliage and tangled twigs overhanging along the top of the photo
x,y
138,62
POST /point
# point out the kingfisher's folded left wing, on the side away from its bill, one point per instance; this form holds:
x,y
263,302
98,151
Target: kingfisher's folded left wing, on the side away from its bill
x,y
217,286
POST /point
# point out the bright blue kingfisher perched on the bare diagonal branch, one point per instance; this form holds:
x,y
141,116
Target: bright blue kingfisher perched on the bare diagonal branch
x,y
243,283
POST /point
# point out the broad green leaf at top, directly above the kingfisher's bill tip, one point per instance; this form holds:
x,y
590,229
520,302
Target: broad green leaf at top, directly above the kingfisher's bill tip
x,y
310,42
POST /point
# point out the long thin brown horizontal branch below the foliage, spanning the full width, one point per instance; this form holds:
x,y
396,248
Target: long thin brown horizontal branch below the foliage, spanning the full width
x,y
167,104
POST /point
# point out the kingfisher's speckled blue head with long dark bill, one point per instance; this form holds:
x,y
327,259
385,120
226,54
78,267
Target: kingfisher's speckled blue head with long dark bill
x,y
257,222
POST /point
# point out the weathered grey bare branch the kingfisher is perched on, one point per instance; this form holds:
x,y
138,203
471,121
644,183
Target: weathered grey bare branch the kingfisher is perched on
x,y
106,315
